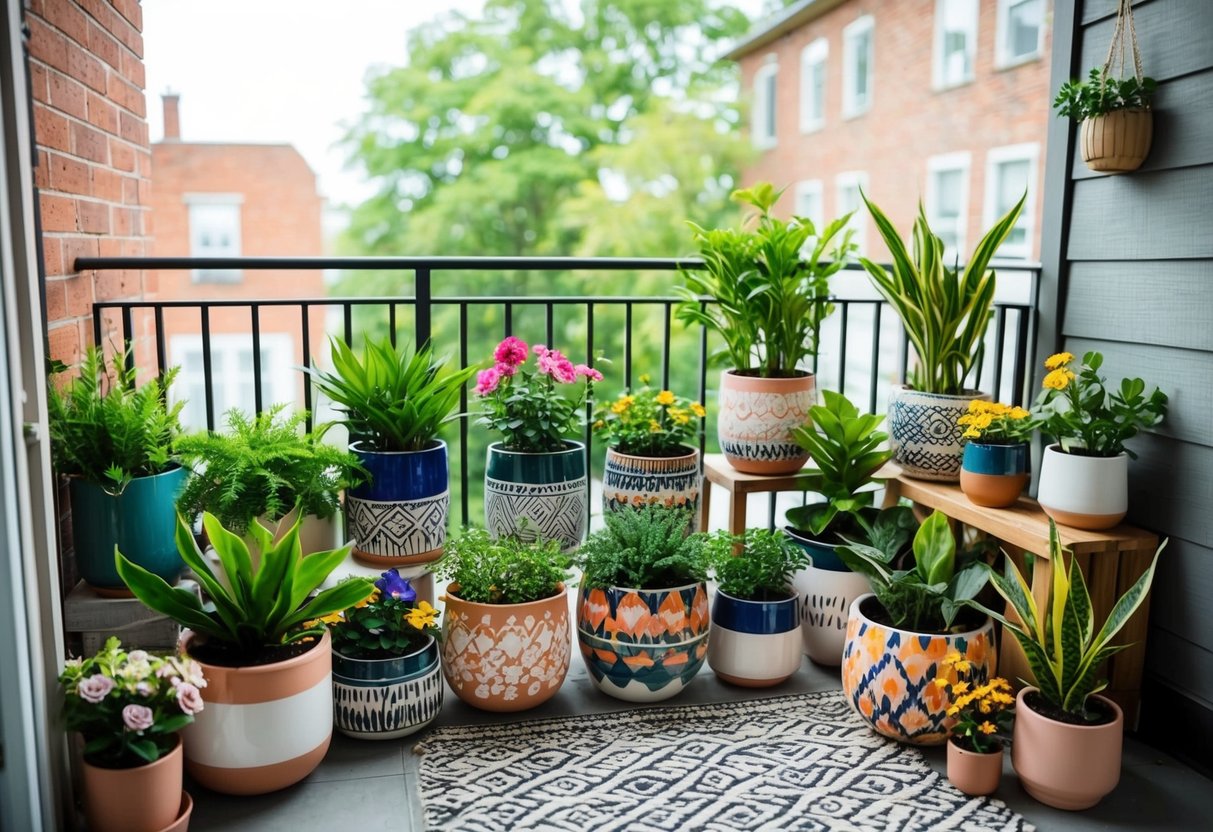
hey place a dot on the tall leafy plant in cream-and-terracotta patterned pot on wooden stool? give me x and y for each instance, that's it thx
(768, 303)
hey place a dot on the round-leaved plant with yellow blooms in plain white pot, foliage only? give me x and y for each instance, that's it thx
(1086, 418)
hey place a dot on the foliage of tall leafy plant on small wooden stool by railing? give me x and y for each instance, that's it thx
(768, 299)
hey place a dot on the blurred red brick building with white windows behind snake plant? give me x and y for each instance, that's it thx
(946, 101)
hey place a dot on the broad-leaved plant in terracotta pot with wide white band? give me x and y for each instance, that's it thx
(265, 656)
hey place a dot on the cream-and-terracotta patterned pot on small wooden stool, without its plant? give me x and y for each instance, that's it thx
(758, 417)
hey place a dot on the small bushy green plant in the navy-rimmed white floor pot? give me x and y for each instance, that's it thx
(762, 571)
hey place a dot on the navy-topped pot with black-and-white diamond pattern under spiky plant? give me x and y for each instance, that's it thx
(400, 517)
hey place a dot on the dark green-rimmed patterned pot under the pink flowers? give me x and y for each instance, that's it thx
(550, 492)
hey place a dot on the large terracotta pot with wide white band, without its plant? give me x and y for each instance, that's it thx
(265, 727)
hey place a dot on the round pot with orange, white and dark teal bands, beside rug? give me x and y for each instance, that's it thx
(643, 646)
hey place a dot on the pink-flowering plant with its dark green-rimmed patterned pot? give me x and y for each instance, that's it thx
(536, 481)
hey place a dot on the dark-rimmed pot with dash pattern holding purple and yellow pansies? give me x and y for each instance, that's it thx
(385, 699)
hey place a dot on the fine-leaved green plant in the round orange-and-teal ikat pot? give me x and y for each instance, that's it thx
(643, 549)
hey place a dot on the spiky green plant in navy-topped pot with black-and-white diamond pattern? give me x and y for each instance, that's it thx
(395, 404)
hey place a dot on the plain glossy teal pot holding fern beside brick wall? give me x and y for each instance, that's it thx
(143, 522)
